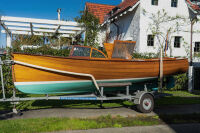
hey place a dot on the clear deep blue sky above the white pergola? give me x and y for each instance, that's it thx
(47, 9)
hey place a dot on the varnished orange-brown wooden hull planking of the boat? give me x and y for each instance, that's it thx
(103, 70)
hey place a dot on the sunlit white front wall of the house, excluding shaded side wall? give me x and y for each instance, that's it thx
(180, 10)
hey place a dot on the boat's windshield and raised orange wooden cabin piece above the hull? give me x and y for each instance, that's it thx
(117, 50)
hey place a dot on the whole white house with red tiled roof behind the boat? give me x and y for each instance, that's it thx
(135, 20)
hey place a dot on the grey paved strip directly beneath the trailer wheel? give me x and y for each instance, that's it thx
(83, 113)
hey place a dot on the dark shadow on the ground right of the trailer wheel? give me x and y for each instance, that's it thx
(179, 109)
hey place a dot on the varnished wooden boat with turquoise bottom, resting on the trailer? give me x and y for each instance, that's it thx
(85, 67)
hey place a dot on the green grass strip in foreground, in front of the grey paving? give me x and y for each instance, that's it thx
(58, 124)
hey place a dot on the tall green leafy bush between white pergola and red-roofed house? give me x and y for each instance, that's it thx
(91, 25)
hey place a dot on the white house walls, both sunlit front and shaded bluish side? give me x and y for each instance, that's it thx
(135, 26)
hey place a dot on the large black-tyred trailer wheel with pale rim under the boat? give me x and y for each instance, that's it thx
(146, 104)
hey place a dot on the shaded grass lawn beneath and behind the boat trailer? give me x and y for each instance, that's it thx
(176, 97)
